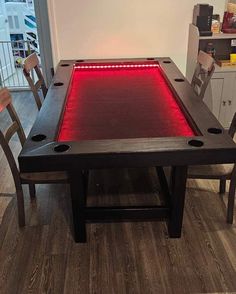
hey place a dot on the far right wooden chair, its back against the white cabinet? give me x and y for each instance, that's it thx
(203, 73)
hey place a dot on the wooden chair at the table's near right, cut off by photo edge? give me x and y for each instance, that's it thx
(221, 172)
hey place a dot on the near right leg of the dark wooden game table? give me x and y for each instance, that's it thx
(178, 187)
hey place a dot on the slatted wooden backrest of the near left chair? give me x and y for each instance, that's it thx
(5, 137)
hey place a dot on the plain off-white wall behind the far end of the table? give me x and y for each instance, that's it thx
(125, 28)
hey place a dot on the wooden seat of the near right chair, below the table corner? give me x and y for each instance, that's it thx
(210, 171)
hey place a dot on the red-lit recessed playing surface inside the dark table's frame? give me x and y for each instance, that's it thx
(119, 104)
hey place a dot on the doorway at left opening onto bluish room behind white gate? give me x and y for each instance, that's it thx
(24, 29)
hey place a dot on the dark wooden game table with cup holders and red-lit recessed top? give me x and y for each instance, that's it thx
(124, 113)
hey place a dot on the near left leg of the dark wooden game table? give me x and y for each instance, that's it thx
(78, 203)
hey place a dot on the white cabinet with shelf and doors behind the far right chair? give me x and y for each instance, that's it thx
(220, 95)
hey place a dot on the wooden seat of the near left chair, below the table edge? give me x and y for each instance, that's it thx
(44, 177)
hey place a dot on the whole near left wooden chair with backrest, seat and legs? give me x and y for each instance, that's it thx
(22, 178)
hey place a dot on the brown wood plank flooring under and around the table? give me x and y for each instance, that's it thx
(118, 257)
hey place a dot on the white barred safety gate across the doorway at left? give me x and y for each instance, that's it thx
(12, 55)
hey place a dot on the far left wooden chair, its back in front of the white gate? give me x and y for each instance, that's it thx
(31, 64)
